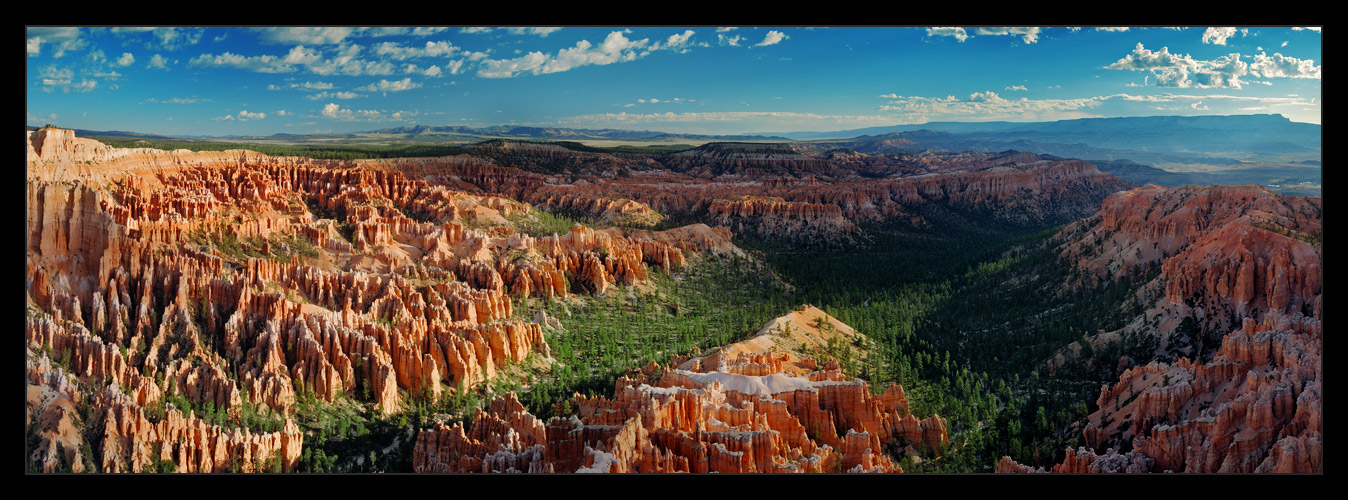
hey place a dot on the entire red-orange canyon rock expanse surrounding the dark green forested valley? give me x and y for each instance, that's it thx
(185, 309)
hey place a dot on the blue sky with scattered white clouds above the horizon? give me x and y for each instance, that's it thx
(695, 80)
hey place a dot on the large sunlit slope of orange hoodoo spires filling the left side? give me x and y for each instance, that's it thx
(245, 281)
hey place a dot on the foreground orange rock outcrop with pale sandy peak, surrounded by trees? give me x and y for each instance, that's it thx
(742, 413)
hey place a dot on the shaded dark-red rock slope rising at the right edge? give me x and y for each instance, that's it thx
(1241, 290)
